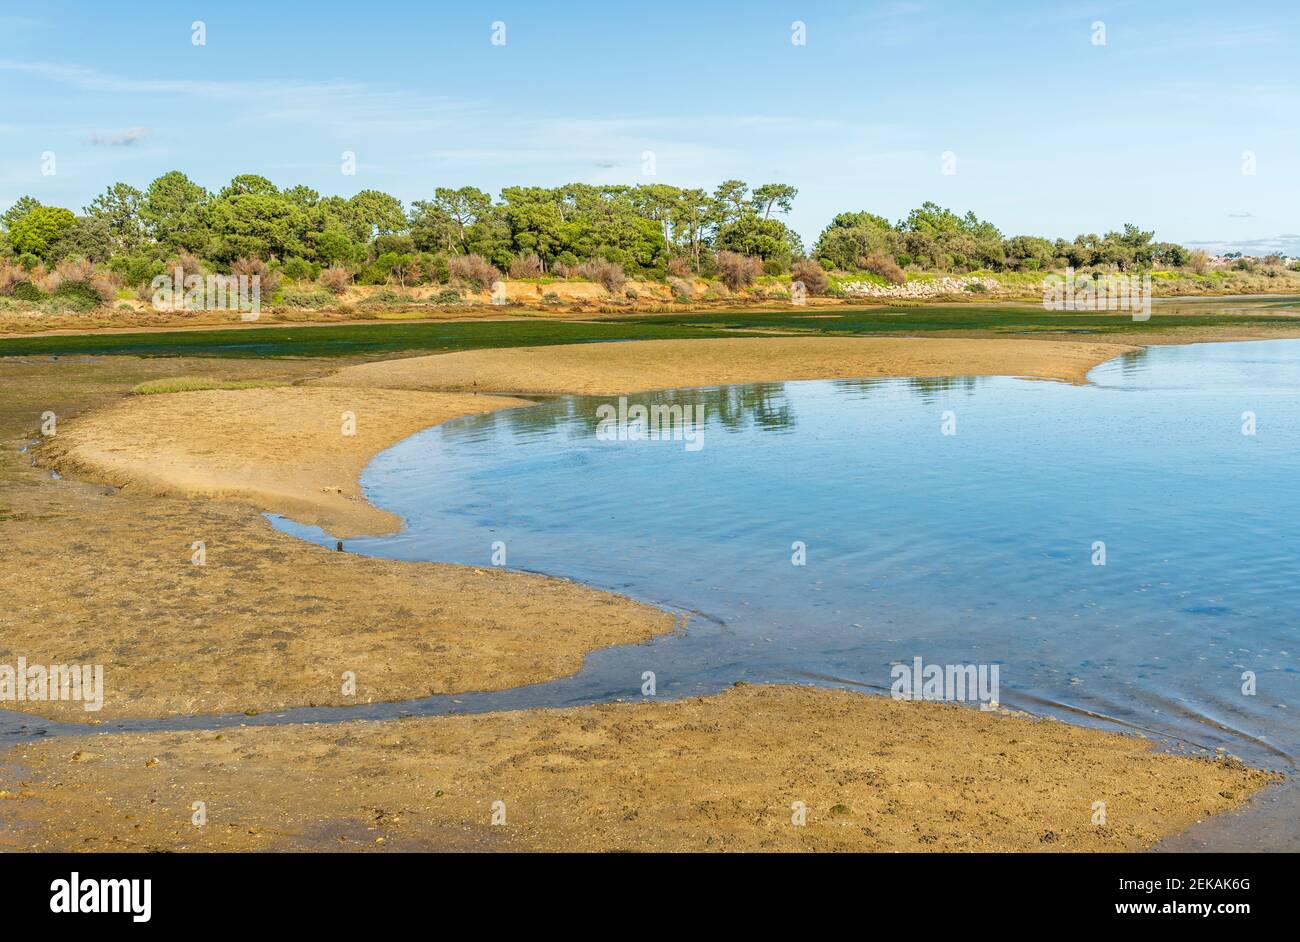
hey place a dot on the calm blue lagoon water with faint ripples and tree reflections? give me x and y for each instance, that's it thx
(976, 548)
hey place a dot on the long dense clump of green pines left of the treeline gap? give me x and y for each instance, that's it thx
(531, 232)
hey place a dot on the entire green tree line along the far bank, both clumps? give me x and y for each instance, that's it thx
(649, 231)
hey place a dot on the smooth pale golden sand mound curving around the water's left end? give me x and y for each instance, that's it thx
(287, 450)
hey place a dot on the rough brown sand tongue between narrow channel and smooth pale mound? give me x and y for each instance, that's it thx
(271, 622)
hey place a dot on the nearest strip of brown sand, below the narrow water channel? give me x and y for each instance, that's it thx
(707, 774)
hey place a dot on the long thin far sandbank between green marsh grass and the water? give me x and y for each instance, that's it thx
(614, 368)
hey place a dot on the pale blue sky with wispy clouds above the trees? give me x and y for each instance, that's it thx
(1052, 134)
